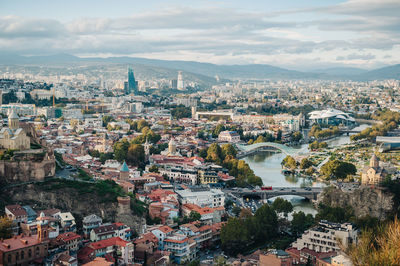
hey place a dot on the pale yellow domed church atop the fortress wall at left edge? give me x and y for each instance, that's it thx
(14, 137)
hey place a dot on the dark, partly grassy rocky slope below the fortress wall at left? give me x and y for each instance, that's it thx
(69, 199)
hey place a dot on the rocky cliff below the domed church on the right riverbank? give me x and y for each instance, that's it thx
(365, 201)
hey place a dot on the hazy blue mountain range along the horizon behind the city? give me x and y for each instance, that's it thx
(207, 71)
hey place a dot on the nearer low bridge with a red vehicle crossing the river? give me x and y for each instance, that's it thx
(310, 193)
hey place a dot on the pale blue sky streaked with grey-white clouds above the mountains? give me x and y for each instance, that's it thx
(297, 34)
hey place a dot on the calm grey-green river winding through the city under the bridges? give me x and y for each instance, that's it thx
(267, 165)
